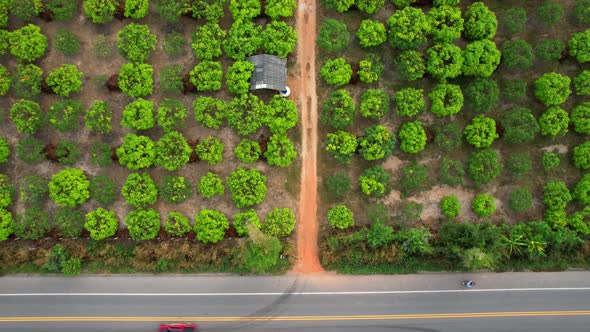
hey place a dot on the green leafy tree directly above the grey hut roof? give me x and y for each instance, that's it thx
(278, 38)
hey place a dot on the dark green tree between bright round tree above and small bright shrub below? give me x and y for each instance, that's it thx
(483, 166)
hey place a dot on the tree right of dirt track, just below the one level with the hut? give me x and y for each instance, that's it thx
(338, 109)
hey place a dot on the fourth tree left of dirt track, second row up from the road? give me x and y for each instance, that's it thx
(139, 190)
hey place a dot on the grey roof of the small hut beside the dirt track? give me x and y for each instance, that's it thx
(270, 72)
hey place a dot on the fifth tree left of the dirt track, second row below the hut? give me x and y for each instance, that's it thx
(136, 152)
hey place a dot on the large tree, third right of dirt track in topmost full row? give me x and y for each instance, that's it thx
(408, 28)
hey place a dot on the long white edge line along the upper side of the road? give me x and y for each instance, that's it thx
(478, 290)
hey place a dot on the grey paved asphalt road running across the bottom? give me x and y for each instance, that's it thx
(319, 303)
